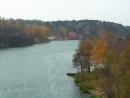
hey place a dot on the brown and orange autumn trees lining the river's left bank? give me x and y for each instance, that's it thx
(15, 33)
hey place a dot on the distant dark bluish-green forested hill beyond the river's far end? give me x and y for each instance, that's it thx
(82, 27)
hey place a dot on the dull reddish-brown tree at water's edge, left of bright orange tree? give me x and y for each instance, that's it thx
(82, 56)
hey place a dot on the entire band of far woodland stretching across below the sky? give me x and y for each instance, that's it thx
(14, 33)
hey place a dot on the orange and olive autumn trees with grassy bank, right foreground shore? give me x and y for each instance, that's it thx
(105, 66)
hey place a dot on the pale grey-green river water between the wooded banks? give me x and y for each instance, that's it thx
(38, 71)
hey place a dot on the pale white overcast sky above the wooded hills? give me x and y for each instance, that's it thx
(49, 10)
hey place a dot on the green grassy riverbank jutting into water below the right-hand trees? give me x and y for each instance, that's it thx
(84, 81)
